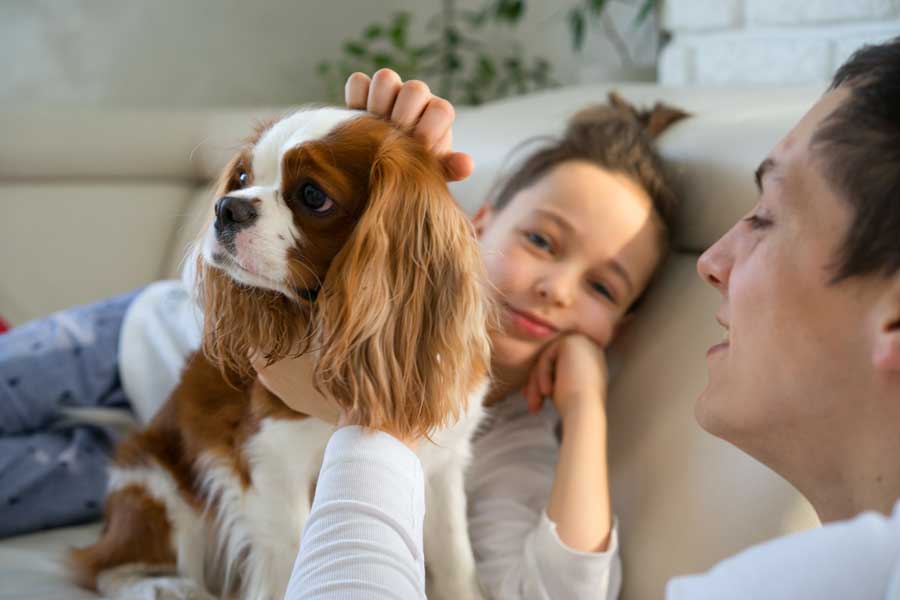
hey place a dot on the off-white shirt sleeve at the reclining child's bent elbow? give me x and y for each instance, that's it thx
(517, 550)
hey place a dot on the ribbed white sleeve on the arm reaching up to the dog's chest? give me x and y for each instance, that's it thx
(363, 537)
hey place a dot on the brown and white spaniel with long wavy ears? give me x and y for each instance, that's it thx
(333, 233)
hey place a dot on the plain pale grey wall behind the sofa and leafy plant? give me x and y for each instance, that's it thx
(188, 53)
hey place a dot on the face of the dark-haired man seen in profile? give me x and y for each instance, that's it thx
(796, 365)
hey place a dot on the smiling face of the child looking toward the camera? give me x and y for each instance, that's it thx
(569, 254)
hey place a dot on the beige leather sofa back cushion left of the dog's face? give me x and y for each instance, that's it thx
(68, 243)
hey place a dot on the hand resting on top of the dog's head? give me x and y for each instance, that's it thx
(411, 105)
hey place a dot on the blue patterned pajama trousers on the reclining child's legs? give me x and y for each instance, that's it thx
(53, 471)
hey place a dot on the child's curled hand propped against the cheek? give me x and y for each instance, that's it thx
(572, 372)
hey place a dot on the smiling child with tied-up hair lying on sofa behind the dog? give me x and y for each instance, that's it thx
(571, 240)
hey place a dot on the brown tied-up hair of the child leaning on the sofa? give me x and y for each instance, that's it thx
(615, 137)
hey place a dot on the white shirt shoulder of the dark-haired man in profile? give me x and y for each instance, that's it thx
(857, 559)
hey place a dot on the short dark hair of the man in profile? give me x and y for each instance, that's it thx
(860, 143)
